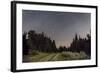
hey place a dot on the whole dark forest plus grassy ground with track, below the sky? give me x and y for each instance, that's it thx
(37, 47)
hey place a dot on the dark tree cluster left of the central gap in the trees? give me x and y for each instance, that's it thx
(37, 41)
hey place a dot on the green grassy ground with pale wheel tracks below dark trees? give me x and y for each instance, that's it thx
(41, 57)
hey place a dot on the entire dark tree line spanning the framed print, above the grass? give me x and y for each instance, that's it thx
(40, 42)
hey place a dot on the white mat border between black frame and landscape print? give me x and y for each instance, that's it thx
(35, 65)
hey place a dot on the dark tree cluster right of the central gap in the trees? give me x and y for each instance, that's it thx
(81, 44)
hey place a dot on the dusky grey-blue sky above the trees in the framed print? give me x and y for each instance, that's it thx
(59, 26)
